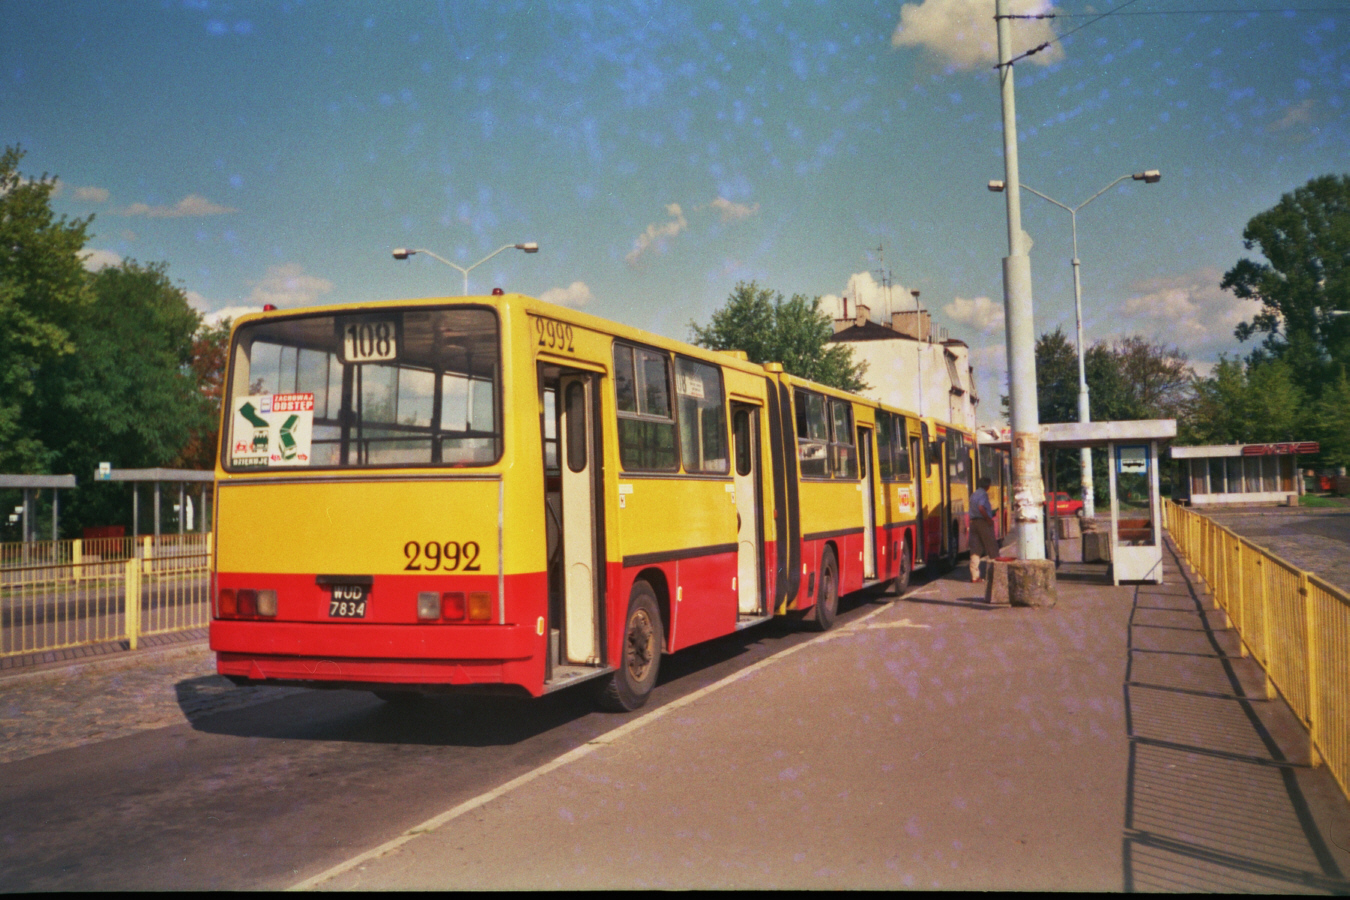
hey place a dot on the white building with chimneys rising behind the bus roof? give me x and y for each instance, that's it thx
(913, 365)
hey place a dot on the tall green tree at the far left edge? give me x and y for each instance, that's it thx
(43, 293)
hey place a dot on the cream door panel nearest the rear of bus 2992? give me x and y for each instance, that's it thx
(578, 463)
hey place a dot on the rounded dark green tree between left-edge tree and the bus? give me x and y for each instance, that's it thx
(130, 396)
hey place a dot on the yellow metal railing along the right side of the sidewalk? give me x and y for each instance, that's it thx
(1295, 625)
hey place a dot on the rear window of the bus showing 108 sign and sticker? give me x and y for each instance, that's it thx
(377, 389)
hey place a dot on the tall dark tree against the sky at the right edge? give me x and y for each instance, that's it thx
(1306, 242)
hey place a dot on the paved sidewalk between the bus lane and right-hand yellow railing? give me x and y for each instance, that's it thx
(1114, 743)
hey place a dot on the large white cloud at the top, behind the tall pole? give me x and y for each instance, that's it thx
(962, 34)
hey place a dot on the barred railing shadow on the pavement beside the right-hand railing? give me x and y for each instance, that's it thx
(1212, 797)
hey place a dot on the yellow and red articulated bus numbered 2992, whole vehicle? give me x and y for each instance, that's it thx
(502, 495)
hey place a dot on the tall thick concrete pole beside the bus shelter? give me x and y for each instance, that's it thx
(1028, 490)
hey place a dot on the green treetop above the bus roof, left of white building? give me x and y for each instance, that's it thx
(773, 330)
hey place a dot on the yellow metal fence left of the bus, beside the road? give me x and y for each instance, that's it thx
(63, 594)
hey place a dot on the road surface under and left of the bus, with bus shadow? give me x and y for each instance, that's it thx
(160, 775)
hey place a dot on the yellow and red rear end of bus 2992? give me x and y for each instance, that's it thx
(360, 504)
